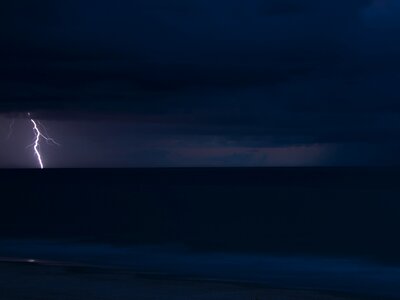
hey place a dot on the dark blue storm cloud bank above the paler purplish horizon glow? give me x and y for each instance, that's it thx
(252, 72)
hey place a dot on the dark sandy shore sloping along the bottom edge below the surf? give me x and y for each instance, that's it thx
(34, 281)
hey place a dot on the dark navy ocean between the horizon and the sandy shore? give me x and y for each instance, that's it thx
(322, 228)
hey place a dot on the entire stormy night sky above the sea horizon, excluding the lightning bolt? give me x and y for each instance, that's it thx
(150, 83)
